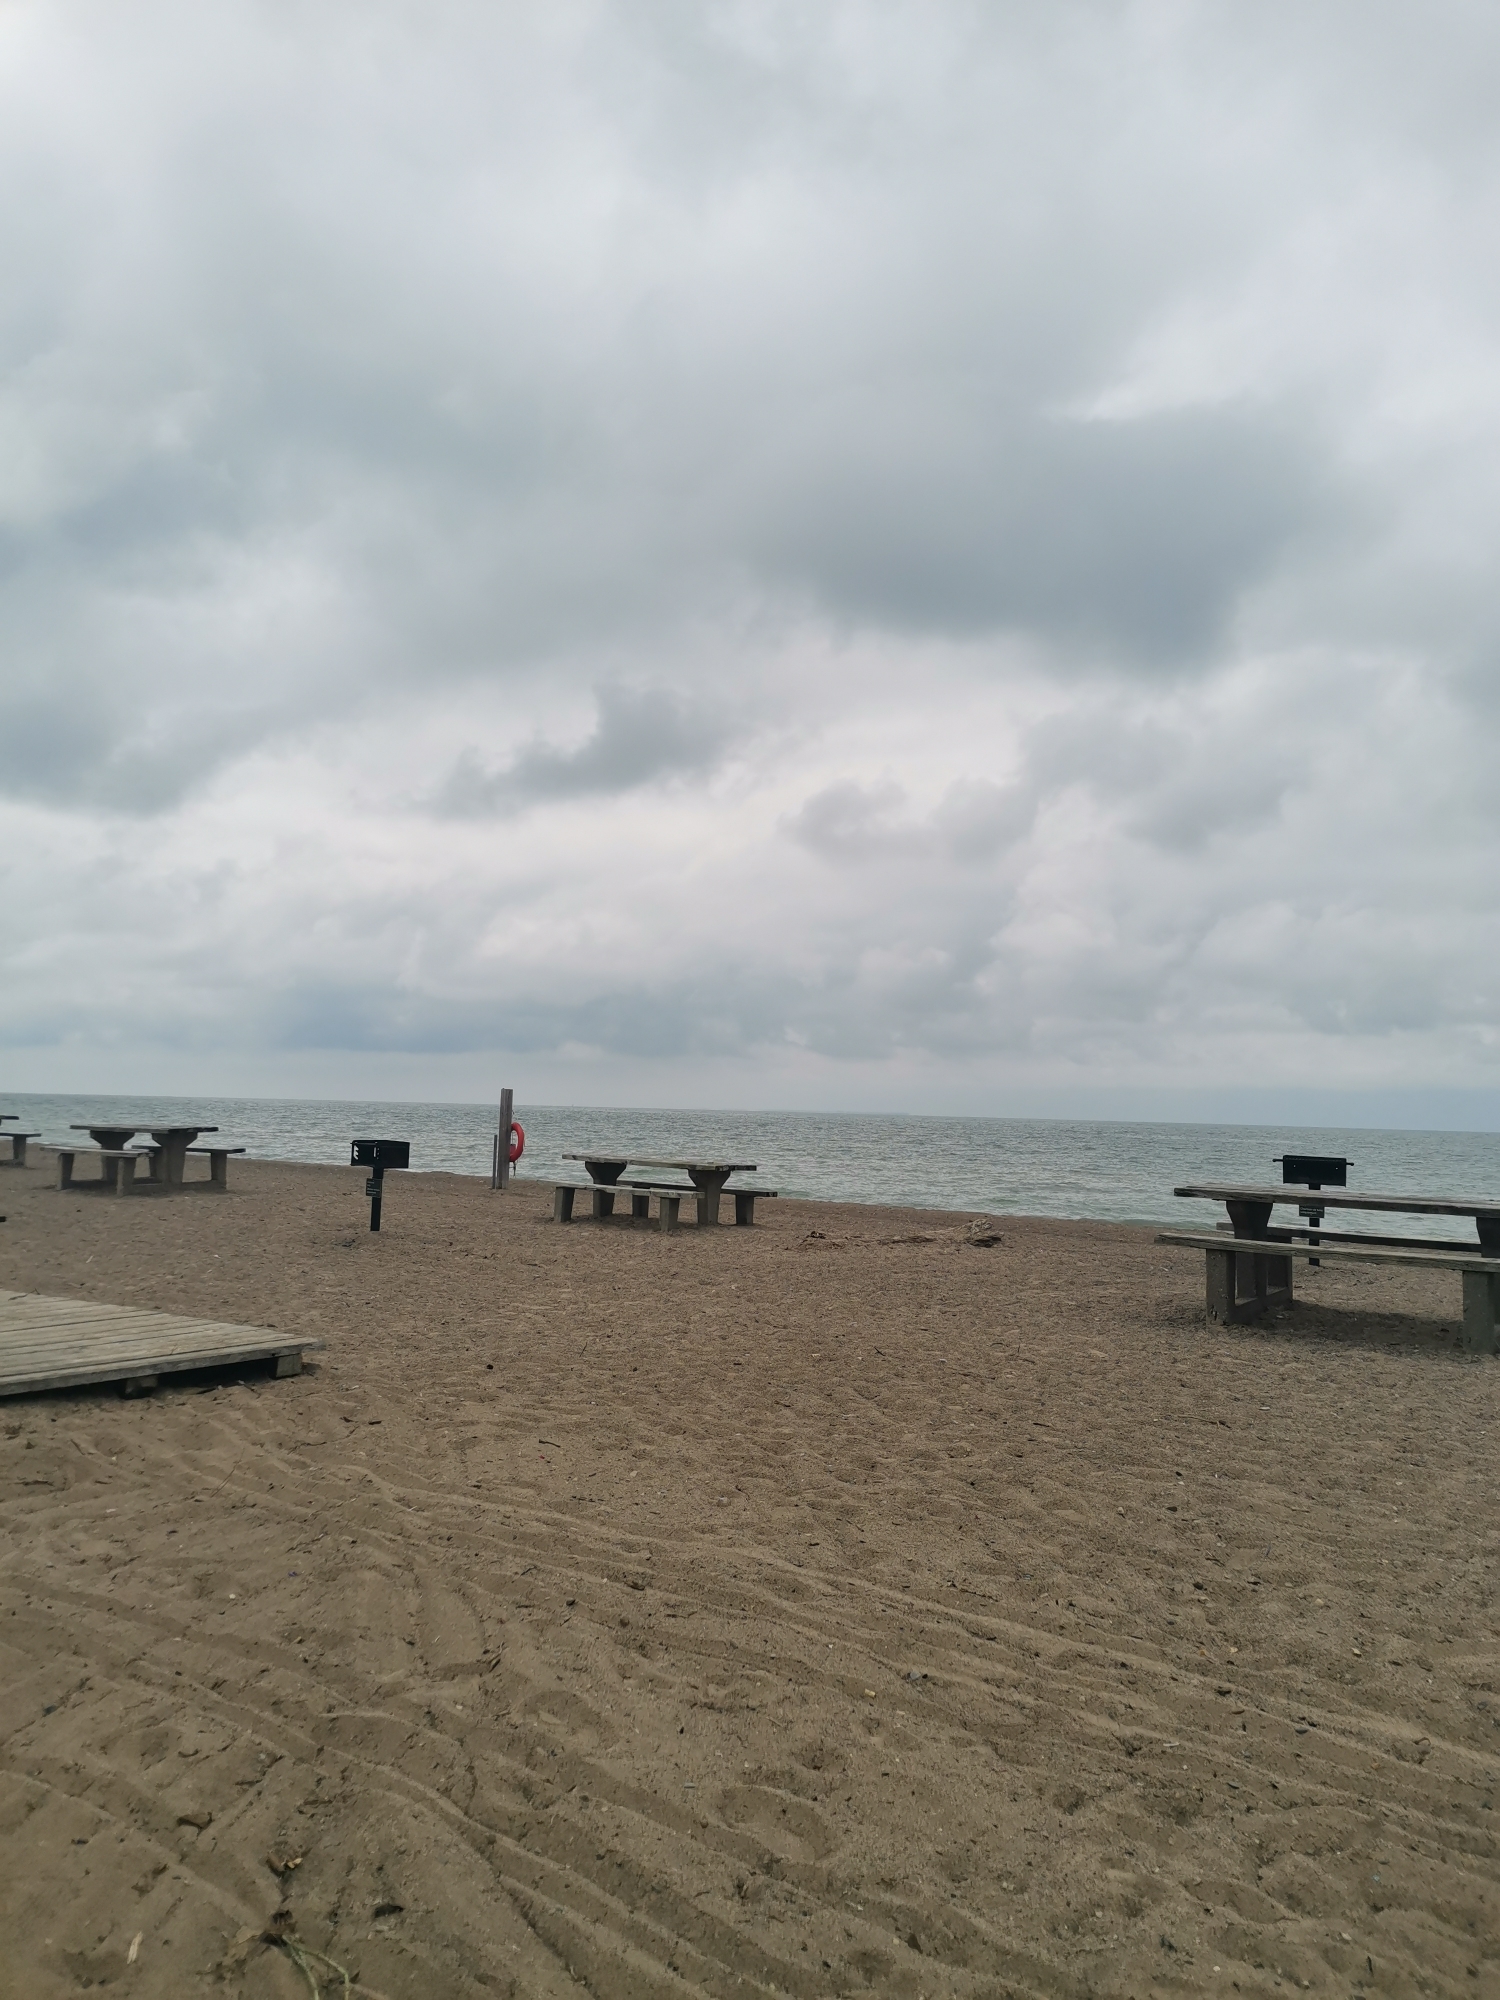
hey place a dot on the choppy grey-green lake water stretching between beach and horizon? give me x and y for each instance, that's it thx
(1035, 1167)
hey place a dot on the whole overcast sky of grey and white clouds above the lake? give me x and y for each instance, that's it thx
(859, 555)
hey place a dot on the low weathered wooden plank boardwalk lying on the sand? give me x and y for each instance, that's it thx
(65, 1343)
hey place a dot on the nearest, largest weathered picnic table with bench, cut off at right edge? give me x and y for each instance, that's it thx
(1249, 1261)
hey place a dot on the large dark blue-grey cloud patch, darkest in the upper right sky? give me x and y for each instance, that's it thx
(1129, 539)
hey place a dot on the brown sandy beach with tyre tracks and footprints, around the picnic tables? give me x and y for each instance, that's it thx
(821, 1609)
